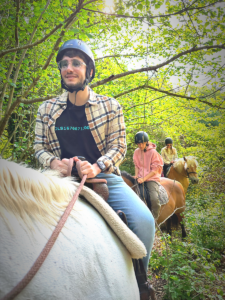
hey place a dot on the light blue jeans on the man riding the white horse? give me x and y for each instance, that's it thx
(139, 217)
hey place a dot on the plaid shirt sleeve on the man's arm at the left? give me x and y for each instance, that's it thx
(41, 145)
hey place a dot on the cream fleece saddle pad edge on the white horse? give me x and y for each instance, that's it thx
(133, 244)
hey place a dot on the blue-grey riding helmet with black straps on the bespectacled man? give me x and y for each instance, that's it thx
(86, 51)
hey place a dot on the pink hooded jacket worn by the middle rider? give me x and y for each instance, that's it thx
(148, 161)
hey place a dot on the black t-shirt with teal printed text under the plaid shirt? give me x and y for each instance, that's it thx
(74, 135)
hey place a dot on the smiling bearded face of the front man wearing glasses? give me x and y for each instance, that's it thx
(73, 76)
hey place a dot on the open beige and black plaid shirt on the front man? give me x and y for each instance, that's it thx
(106, 122)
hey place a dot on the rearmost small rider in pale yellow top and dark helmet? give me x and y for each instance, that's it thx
(169, 155)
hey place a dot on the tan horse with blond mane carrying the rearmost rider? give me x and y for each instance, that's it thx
(183, 170)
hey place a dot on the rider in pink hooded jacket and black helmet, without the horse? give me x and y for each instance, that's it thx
(148, 167)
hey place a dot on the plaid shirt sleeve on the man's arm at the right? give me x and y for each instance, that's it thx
(116, 142)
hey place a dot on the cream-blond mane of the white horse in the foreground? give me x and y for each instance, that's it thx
(28, 193)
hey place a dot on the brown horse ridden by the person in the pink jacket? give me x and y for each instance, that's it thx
(171, 211)
